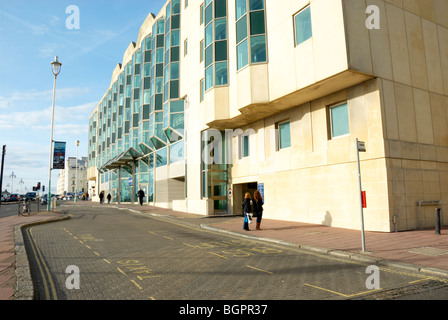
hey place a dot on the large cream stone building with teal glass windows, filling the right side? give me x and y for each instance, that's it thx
(217, 98)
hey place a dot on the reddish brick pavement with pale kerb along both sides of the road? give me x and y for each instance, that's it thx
(421, 251)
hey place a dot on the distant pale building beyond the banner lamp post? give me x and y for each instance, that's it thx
(67, 176)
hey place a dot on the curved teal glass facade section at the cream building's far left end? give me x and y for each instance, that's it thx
(139, 123)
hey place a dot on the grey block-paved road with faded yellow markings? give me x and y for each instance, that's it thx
(114, 254)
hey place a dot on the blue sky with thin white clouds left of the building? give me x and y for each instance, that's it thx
(31, 34)
